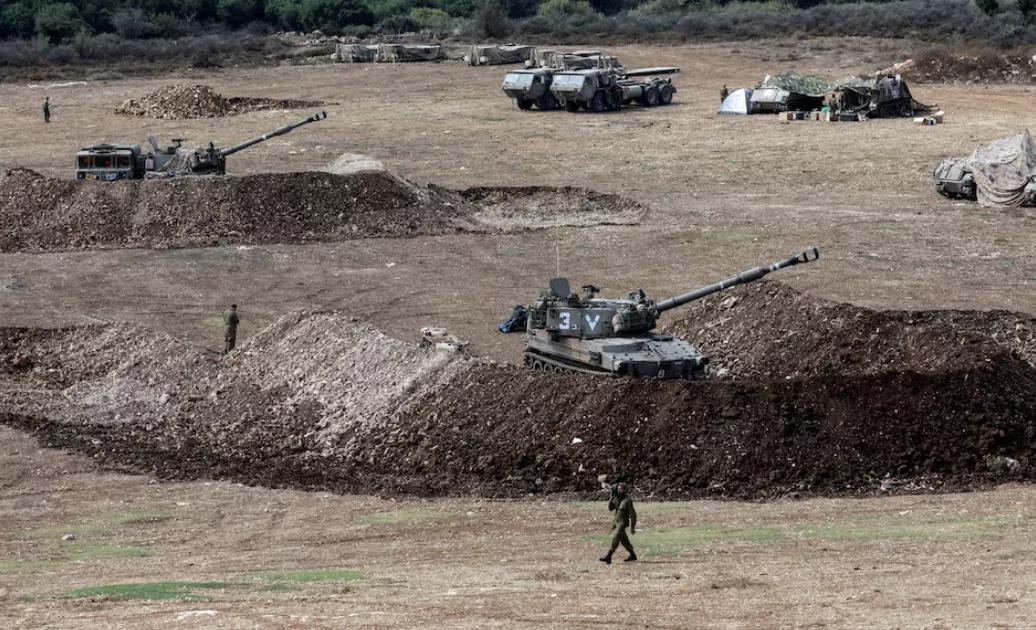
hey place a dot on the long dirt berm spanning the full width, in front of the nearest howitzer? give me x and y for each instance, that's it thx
(360, 412)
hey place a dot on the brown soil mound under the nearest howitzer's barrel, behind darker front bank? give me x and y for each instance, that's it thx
(770, 331)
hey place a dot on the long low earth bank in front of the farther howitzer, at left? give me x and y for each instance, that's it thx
(40, 214)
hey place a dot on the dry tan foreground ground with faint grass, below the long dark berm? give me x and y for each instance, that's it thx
(908, 562)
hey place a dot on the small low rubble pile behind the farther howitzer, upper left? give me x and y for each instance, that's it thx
(181, 101)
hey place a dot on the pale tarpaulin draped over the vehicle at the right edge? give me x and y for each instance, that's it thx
(1003, 169)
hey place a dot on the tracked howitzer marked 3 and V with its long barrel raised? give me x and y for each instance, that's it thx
(572, 333)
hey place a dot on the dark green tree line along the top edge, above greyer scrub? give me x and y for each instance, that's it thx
(61, 21)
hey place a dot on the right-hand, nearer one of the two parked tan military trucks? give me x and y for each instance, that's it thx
(609, 89)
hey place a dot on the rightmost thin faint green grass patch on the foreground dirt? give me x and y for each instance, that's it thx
(935, 530)
